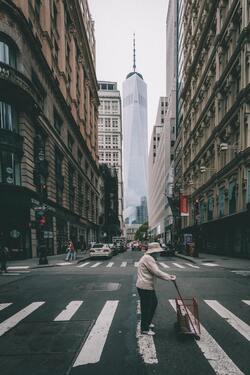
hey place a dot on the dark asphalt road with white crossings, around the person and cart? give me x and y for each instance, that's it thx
(84, 319)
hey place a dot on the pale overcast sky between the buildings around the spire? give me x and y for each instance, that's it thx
(115, 23)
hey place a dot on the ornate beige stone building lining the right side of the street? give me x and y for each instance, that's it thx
(214, 124)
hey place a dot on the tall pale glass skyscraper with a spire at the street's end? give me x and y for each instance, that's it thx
(135, 131)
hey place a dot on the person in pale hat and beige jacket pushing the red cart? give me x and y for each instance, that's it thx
(147, 272)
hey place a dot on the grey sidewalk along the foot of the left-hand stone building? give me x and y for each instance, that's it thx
(53, 261)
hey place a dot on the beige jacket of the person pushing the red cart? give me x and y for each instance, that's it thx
(147, 273)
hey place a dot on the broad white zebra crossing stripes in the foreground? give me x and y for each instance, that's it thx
(94, 344)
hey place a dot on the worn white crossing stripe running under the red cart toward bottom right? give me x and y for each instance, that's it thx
(212, 351)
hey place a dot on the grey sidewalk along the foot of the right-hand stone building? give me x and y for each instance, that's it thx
(221, 260)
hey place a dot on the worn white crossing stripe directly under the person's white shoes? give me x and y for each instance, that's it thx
(145, 343)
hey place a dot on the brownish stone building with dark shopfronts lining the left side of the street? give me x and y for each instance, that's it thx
(48, 131)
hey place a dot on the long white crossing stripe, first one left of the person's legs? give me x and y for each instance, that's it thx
(92, 349)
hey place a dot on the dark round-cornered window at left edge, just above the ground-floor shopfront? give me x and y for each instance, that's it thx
(9, 168)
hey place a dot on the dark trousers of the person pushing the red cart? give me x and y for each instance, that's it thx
(148, 306)
